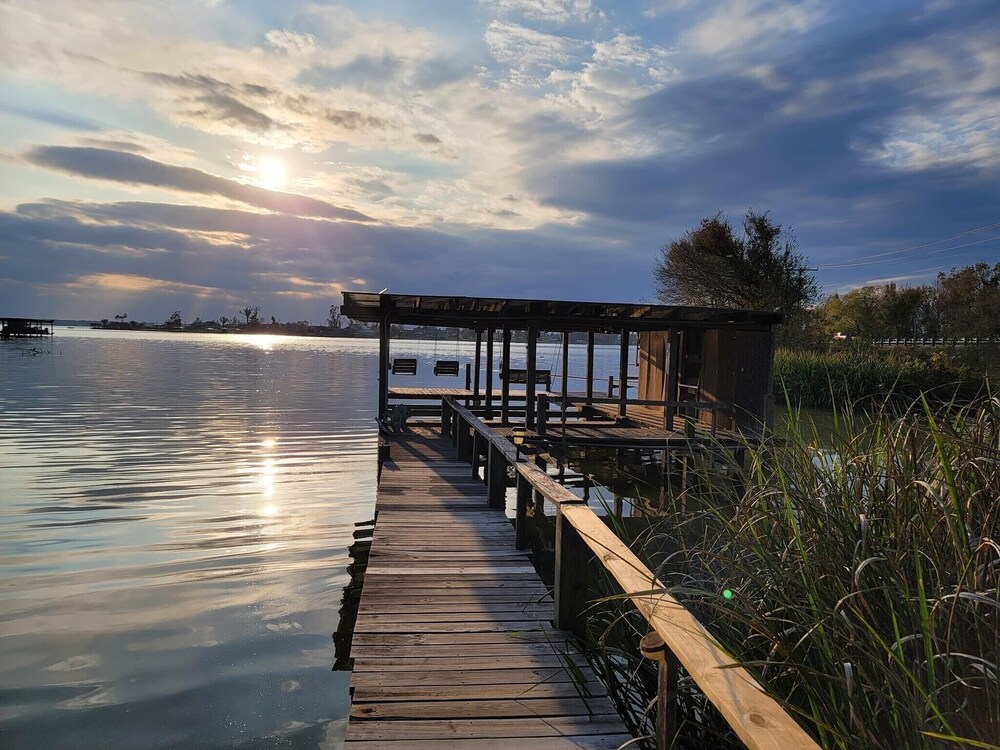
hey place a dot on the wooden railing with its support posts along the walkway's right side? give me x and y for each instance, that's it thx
(676, 636)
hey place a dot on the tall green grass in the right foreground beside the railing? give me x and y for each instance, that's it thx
(866, 581)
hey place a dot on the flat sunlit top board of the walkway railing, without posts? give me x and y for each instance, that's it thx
(756, 718)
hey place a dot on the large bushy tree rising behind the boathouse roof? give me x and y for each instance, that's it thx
(714, 267)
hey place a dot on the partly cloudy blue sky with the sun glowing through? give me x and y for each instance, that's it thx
(205, 155)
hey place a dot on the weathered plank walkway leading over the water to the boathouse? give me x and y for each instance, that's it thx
(454, 645)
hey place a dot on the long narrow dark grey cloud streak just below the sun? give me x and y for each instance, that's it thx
(104, 164)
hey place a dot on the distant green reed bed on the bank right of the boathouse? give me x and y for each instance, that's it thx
(868, 374)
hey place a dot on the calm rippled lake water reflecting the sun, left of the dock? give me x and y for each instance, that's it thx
(175, 514)
